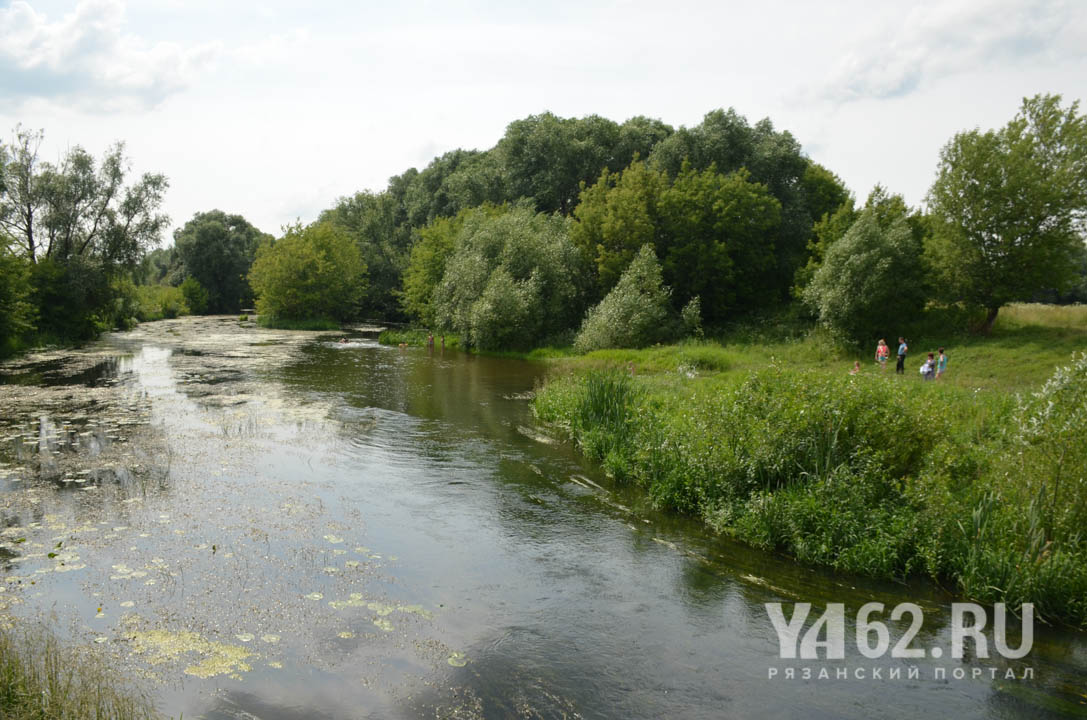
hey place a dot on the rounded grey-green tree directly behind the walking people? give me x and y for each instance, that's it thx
(871, 283)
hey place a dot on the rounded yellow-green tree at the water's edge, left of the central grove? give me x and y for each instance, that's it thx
(311, 272)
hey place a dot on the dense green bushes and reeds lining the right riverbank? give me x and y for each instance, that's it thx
(983, 492)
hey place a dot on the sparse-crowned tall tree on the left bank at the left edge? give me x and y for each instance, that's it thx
(81, 227)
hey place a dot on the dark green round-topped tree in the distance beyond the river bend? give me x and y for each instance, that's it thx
(218, 251)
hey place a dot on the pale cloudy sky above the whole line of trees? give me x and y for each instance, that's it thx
(274, 110)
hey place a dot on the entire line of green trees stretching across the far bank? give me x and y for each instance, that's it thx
(571, 231)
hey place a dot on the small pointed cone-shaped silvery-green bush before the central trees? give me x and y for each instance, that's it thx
(634, 315)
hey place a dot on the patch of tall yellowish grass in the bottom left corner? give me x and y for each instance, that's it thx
(42, 680)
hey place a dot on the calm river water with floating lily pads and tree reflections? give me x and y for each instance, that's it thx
(273, 525)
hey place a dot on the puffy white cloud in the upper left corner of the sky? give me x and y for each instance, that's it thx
(88, 58)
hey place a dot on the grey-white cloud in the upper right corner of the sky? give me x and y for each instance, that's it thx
(945, 39)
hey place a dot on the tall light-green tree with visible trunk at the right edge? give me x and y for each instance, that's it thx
(1009, 207)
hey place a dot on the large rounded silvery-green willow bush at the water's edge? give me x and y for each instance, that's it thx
(513, 281)
